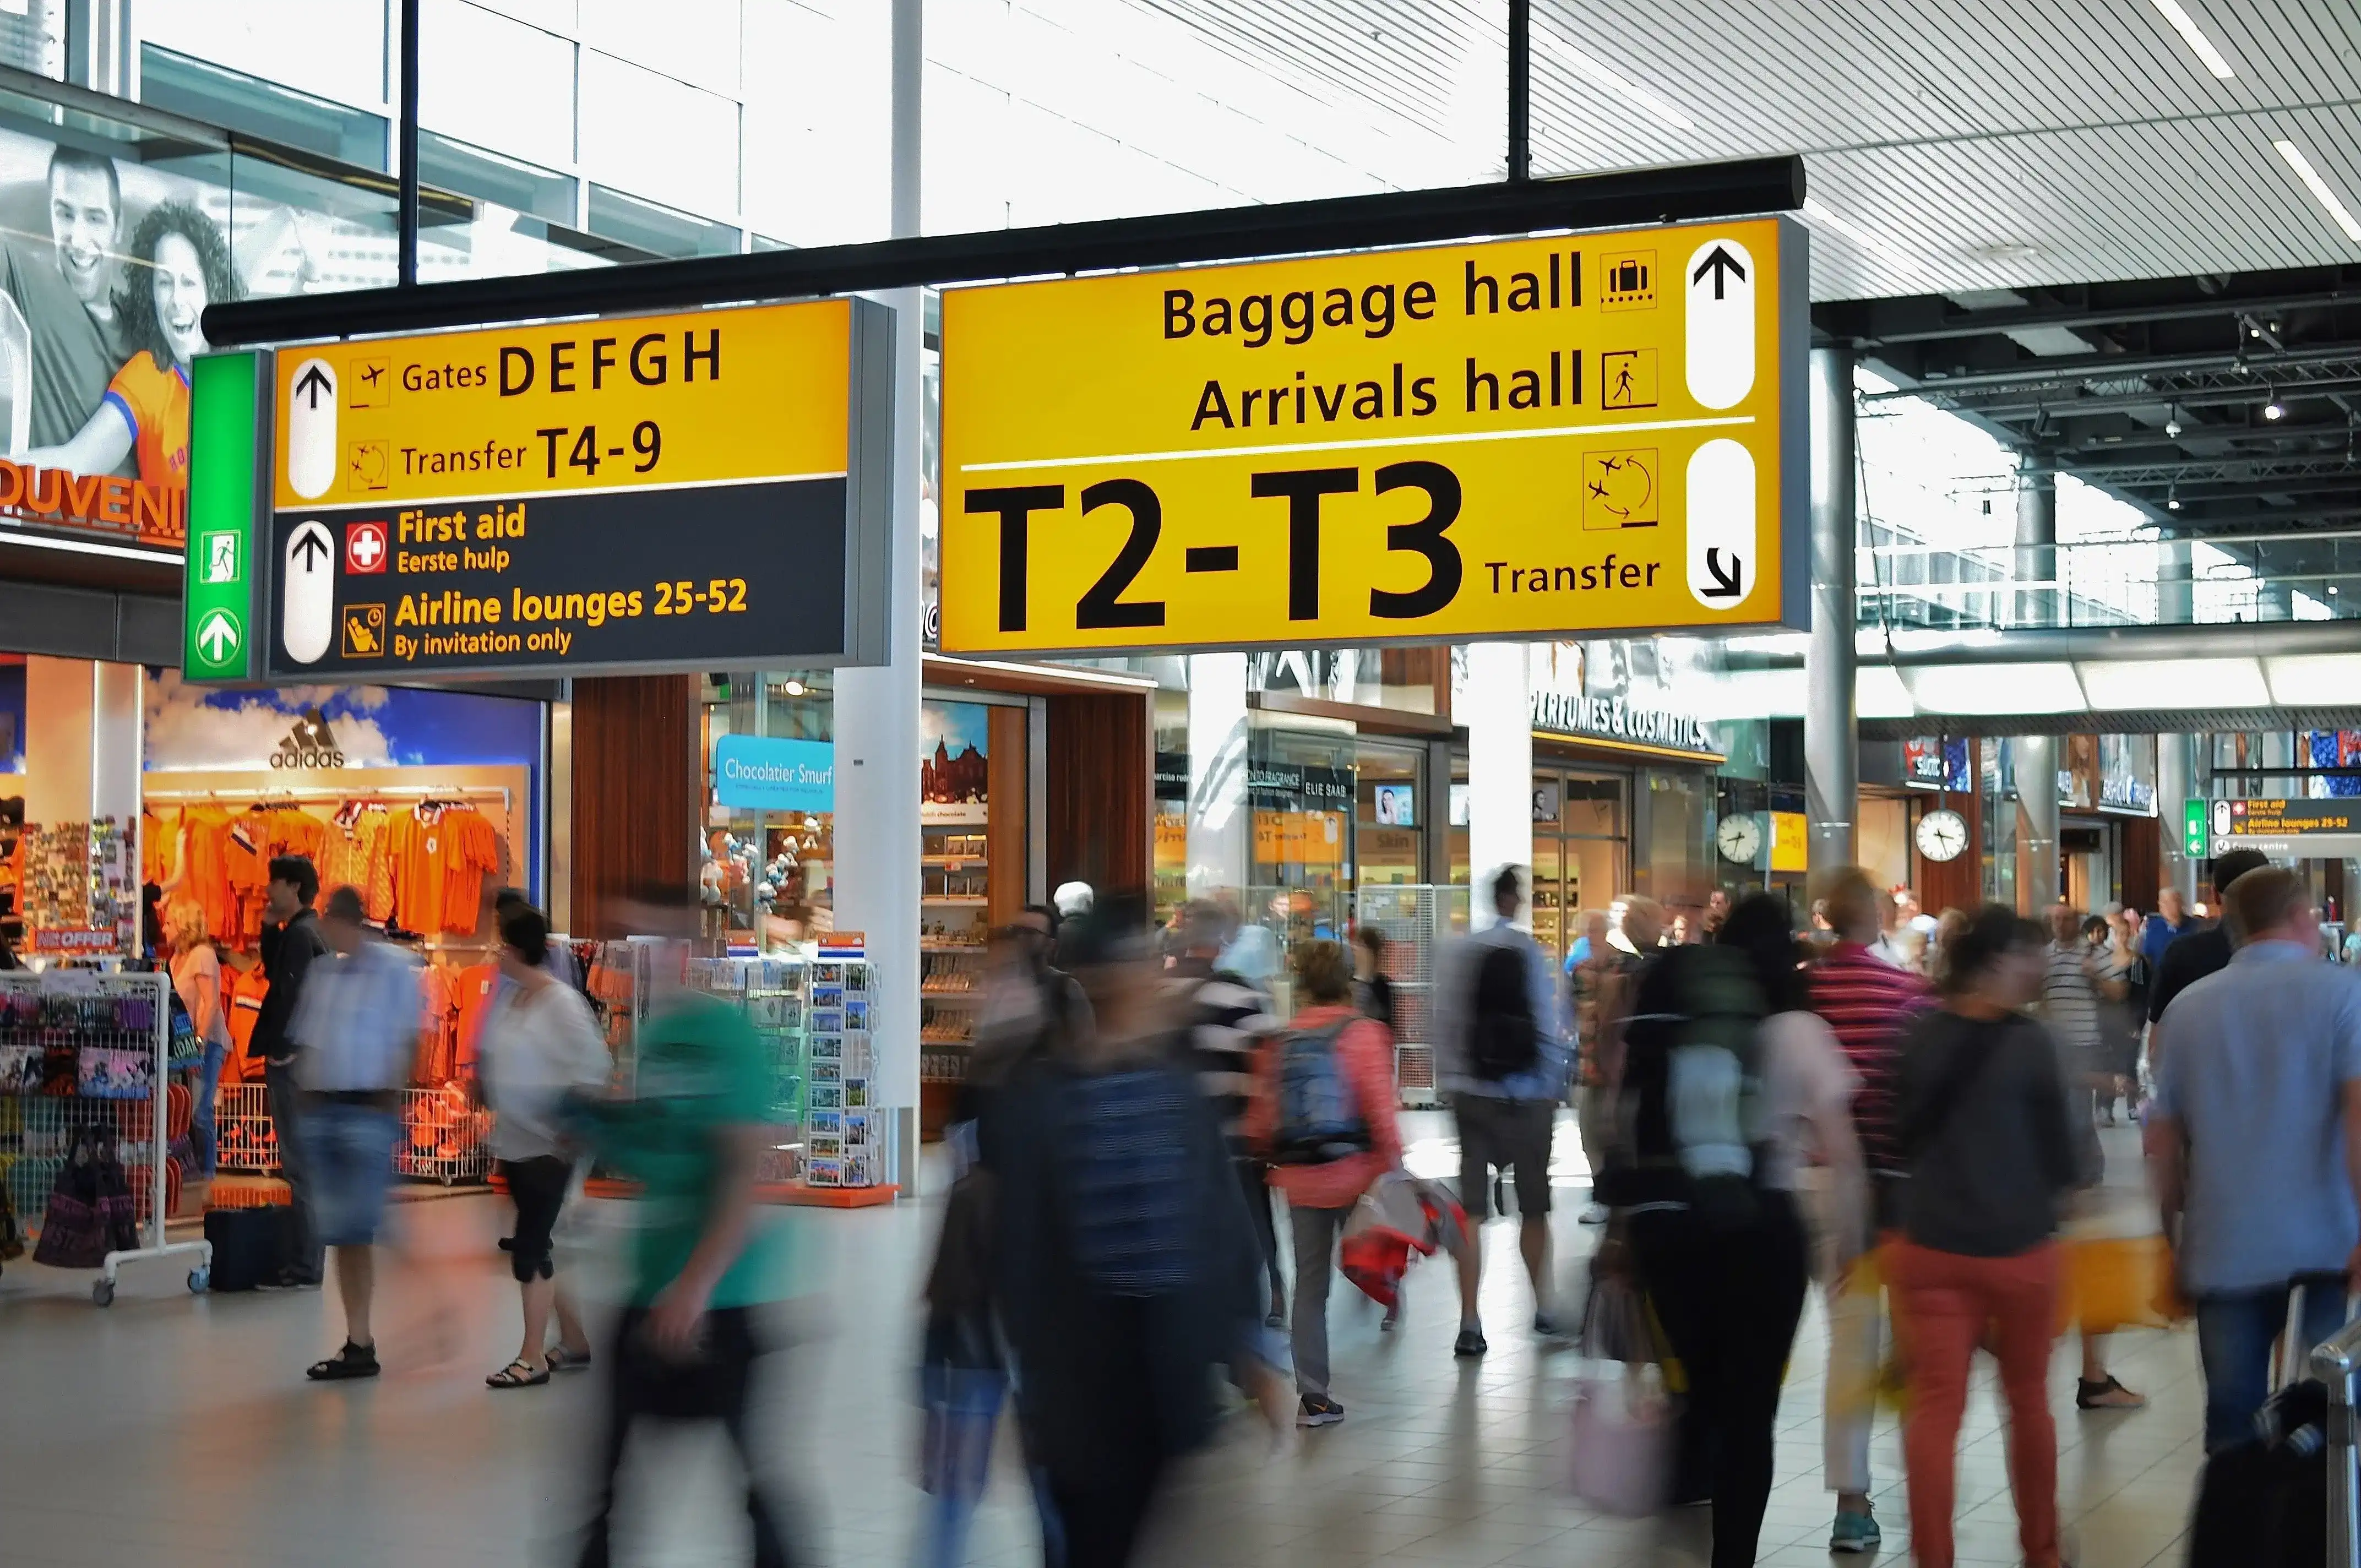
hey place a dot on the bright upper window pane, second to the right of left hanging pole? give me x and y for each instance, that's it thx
(660, 138)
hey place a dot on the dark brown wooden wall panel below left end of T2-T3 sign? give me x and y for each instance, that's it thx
(1099, 792)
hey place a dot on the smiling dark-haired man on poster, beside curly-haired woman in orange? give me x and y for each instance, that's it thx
(67, 299)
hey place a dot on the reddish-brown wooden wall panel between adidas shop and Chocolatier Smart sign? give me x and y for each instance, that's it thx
(636, 795)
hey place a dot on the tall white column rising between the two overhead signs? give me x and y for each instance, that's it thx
(877, 710)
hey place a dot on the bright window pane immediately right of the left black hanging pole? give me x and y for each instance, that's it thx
(497, 84)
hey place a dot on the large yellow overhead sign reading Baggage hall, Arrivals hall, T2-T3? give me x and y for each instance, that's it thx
(1503, 440)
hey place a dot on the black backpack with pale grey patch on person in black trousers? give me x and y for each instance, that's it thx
(1694, 1073)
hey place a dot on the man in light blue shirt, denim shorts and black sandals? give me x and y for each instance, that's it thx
(355, 1033)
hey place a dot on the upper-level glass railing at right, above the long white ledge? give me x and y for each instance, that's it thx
(2112, 582)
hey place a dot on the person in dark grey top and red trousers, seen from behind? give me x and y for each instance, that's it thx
(1992, 1156)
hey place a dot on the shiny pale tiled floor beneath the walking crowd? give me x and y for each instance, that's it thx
(181, 1430)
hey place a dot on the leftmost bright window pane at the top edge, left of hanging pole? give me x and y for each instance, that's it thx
(327, 48)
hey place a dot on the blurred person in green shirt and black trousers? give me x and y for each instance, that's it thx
(705, 1260)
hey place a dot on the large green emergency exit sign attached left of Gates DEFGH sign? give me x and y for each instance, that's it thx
(218, 584)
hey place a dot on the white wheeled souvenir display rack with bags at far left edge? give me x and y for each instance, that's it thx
(89, 1050)
